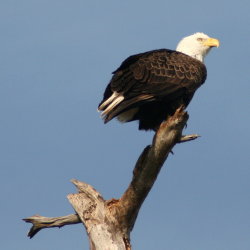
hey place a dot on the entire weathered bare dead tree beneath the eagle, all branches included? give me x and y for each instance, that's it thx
(109, 222)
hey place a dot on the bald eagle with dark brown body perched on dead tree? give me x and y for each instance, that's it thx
(150, 86)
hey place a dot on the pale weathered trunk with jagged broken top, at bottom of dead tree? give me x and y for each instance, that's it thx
(102, 228)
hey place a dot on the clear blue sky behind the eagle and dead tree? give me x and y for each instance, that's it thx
(56, 59)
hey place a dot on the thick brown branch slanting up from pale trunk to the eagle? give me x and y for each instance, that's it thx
(149, 165)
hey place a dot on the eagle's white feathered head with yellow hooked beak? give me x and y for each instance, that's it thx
(197, 45)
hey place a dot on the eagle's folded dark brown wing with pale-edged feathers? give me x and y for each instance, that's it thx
(151, 76)
